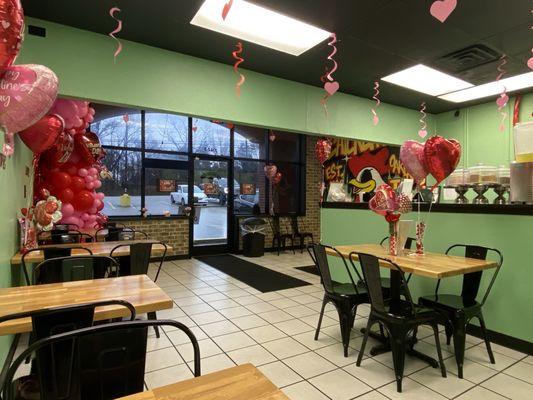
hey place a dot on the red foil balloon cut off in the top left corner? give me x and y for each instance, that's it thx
(12, 28)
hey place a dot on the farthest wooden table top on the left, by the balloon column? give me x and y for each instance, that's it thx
(98, 249)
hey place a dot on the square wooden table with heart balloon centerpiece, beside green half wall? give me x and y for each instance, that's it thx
(432, 265)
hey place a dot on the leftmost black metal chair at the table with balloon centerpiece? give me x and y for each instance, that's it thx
(344, 296)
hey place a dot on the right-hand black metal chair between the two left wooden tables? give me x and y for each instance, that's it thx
(138, 262)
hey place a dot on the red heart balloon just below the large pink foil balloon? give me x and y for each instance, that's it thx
(42, 135)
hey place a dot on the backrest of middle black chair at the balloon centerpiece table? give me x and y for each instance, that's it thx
(370, 265)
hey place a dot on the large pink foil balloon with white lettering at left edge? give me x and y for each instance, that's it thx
(27, 93)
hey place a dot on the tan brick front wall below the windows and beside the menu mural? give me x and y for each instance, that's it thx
(175, 232)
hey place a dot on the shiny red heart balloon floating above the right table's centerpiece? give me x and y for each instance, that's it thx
(441, 157)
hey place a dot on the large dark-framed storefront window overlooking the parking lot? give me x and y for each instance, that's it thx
(149, 155)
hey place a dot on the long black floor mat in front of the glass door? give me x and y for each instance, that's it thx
(254, 275)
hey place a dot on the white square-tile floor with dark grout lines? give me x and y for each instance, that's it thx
(236, 324)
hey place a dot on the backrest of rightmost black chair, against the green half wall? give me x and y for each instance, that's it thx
(472, 280)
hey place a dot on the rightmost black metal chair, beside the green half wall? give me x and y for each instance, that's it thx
(461, 309)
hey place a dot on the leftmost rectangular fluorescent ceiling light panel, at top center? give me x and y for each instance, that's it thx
(261, 26)
